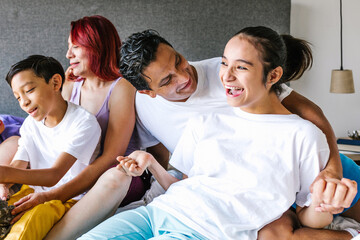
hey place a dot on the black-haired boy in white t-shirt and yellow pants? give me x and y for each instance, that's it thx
(58, 140)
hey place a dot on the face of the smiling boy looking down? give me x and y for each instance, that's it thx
(35, 96)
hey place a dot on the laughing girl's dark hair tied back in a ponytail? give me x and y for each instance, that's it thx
(292, 54)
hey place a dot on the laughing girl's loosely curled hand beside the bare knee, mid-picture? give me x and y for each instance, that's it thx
(136, 163)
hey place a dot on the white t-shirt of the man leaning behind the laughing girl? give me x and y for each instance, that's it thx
(159, 120)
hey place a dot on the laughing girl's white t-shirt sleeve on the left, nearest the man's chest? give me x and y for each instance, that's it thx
(183, 156)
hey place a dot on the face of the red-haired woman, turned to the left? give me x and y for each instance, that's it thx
(79, 59)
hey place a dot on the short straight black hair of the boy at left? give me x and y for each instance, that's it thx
(43, 67)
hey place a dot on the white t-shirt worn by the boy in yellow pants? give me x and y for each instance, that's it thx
(77, 134)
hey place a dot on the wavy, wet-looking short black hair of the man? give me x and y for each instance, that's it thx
(137, 52)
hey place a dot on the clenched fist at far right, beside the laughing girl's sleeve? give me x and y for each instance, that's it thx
(333, 195)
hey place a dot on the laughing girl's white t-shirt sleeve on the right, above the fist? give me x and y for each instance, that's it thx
(315, 157)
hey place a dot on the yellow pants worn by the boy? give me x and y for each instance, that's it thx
(38, 221)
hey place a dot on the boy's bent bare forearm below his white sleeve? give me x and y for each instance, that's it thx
(40, 177)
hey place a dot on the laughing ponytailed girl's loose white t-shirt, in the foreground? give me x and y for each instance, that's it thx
(245, 175)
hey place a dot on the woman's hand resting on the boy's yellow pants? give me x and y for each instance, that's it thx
(26, 203)
